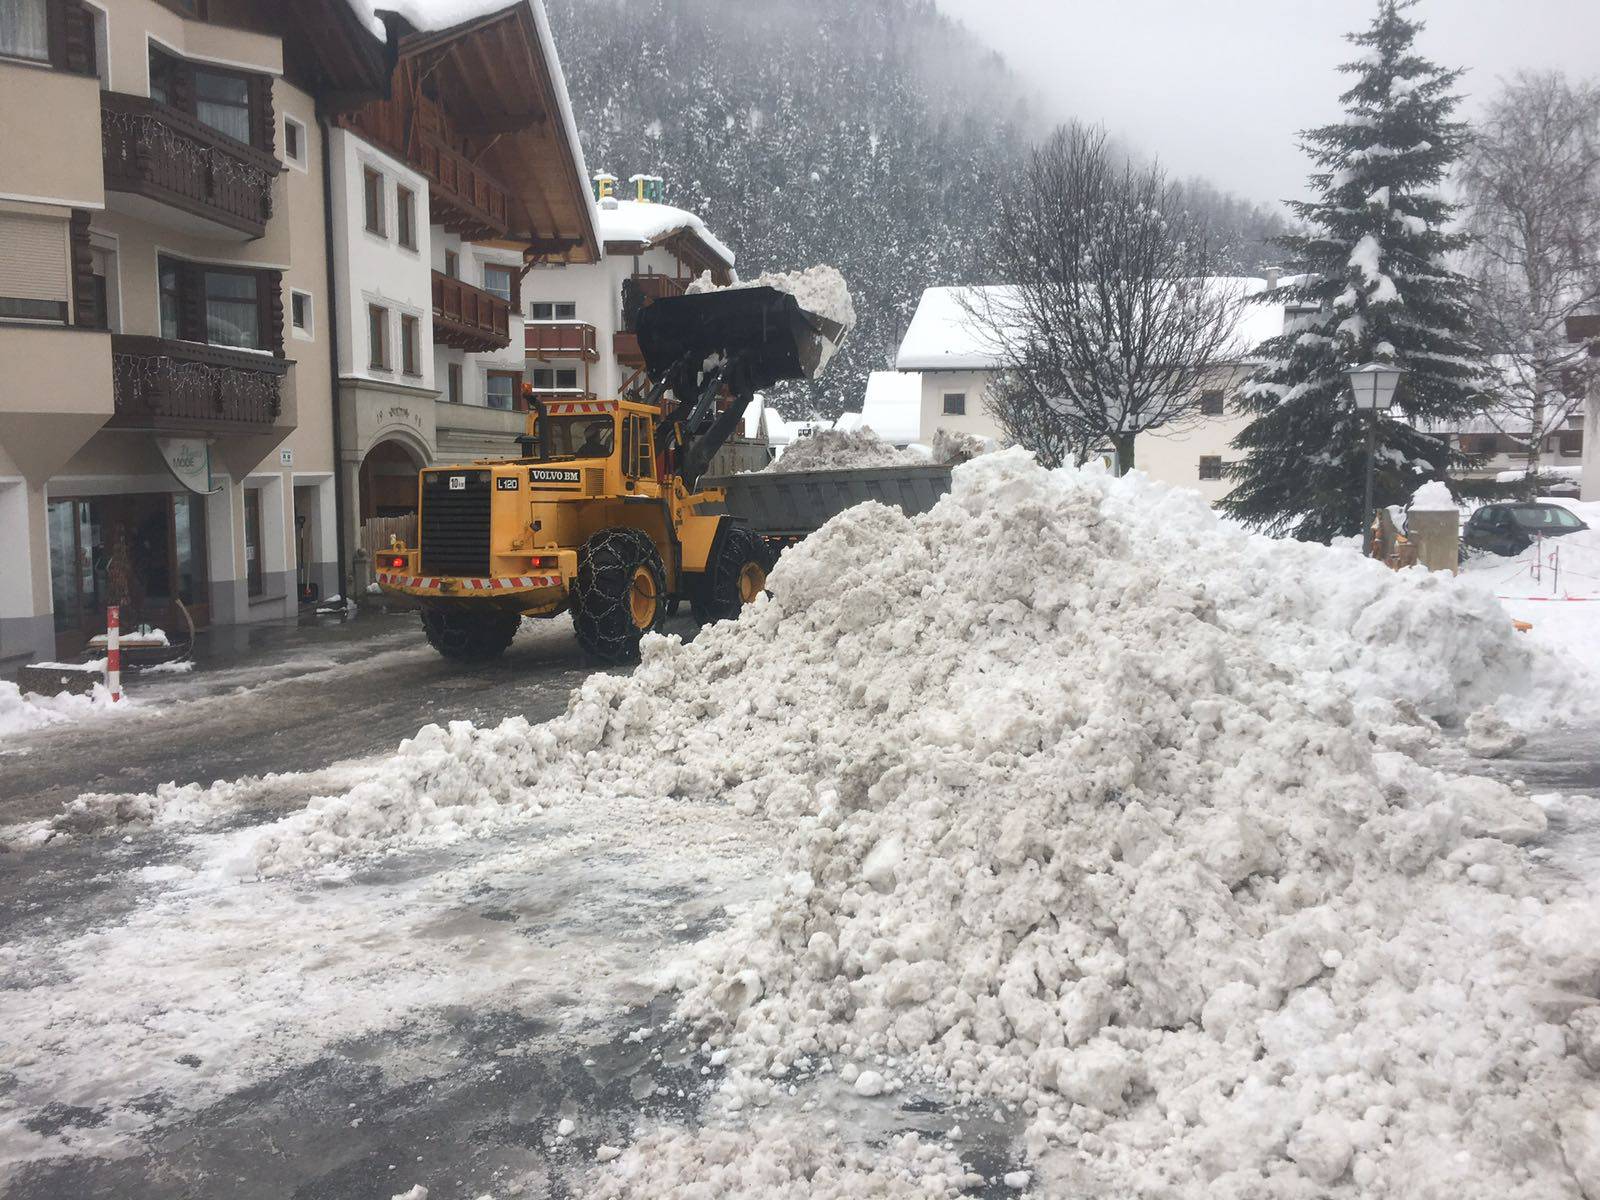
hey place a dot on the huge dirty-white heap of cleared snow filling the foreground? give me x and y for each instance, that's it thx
(1092, 810)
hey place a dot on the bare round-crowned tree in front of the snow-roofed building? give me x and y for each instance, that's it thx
(1111, 324)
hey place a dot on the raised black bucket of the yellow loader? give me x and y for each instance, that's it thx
(764, 329)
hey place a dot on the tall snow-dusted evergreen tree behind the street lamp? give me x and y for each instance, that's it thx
(1375, 289)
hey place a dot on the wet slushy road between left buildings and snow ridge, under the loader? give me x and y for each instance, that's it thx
(289, 698)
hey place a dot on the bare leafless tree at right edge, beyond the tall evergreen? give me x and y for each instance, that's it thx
(1532, 182)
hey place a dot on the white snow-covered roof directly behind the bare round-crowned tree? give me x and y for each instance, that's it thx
(945, 335)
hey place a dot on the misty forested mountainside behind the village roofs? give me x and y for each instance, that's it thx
(874, 135)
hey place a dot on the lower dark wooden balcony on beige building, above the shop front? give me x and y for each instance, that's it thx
(194, 388)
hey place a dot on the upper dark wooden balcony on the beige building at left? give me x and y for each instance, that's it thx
(210, 183)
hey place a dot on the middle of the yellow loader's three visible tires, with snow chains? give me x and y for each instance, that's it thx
(620, 594)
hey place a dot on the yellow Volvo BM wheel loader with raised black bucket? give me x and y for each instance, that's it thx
(599, 513)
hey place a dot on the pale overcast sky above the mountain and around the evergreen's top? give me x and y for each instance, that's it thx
(1222, 87)
